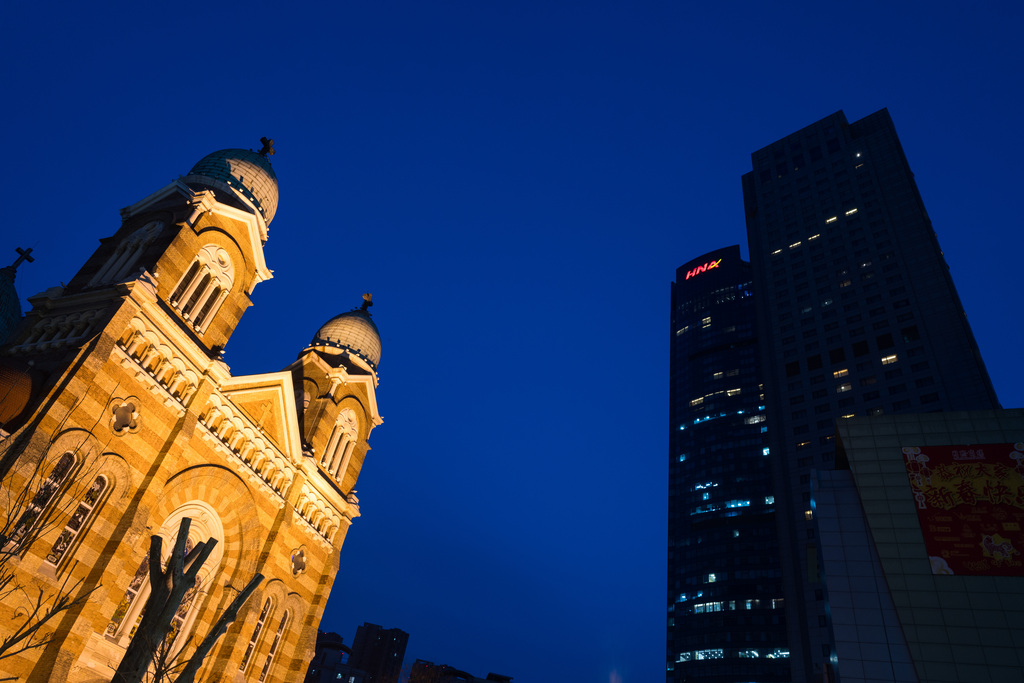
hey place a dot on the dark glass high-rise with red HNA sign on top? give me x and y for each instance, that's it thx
(727, 617)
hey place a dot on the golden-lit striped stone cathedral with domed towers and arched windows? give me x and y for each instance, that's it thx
(119, 419)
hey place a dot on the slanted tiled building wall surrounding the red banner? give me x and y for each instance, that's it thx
(958, 628)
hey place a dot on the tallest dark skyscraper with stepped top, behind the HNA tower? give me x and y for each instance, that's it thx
(859, 316)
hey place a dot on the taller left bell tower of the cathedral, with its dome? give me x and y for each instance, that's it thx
(197, 244)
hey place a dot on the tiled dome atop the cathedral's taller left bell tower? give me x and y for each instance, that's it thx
(243, 173)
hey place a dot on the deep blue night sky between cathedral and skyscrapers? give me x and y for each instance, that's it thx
(517, 184)
